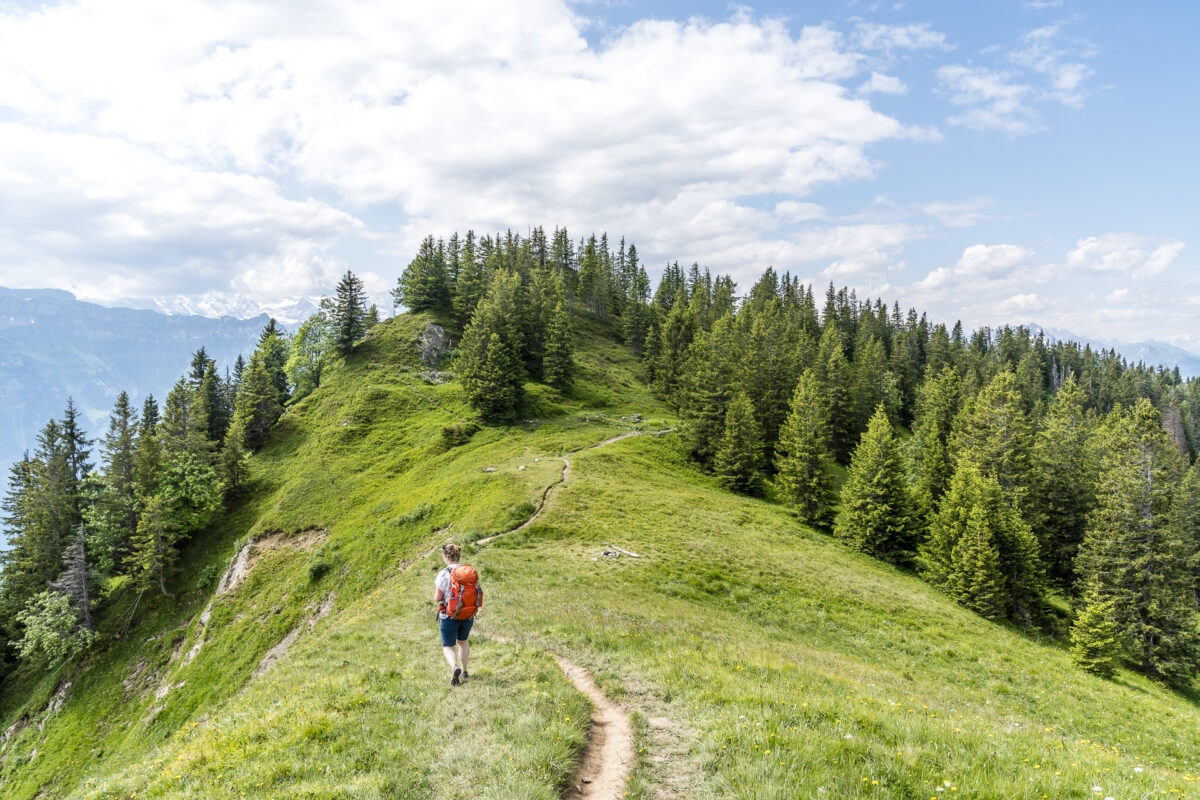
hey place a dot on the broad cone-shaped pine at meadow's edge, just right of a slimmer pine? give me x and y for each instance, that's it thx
(877, 512)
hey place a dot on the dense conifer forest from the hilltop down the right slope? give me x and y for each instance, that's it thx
(1004, 467)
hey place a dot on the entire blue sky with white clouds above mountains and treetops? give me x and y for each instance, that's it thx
(992, 161)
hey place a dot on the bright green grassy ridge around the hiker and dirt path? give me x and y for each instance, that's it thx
(763, 660)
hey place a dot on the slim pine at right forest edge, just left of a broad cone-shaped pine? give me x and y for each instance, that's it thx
(803, 477)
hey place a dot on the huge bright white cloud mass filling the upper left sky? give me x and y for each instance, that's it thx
(244, 141)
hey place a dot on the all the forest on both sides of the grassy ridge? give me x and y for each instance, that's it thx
(1034, 482)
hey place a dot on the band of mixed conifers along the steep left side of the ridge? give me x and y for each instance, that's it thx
(82, 534)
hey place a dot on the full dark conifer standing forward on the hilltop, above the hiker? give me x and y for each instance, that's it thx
(490, 353)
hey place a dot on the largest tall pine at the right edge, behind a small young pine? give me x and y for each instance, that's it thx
(1133, 554)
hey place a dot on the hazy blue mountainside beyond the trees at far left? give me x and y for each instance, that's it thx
(53, 347)
